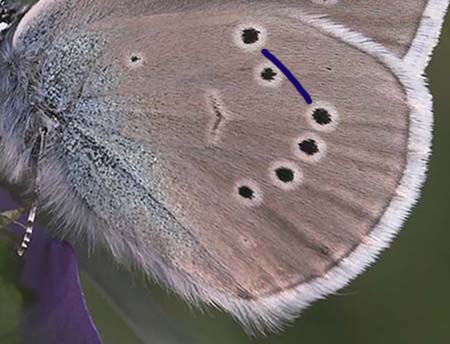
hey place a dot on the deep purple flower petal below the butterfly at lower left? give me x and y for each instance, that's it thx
(58, 311)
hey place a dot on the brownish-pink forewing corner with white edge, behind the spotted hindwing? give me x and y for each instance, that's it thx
(409, 30)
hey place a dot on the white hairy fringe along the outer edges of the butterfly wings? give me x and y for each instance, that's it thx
(270, 313)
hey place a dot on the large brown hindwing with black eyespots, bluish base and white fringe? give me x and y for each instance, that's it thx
(207, 166)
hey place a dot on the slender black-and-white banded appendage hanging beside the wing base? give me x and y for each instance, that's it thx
(33, 210)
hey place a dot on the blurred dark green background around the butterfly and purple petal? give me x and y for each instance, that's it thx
(404, 298)
